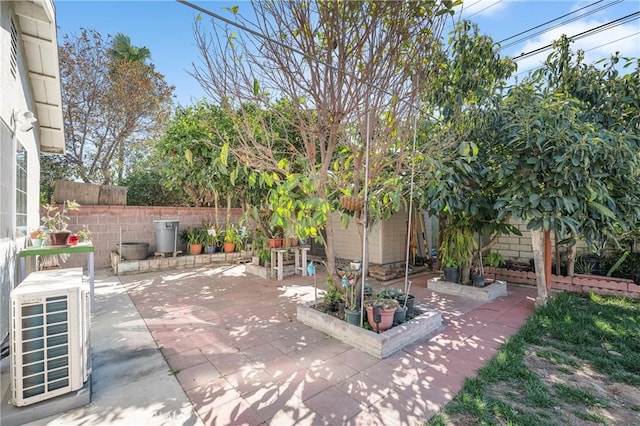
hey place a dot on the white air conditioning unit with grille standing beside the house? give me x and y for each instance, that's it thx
(50, 348)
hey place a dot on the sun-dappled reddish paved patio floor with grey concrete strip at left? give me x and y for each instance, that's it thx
(238, 354)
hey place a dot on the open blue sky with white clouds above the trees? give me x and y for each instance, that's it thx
(166, 28)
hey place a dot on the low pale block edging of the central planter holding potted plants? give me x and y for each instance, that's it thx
(378, 345)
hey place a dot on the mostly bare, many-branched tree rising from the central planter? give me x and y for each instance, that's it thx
(350, 70)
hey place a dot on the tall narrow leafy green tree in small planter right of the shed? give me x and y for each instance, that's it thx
(452, 182)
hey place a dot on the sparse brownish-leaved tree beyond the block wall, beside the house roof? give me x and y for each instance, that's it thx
(111, 106)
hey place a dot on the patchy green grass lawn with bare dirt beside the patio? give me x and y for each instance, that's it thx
(576, 361)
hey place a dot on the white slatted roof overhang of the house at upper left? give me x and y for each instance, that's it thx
(38, 32)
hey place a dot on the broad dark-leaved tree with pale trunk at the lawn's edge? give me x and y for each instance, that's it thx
(570, 163)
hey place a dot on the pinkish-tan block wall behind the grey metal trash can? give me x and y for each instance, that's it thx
(135, 224)
